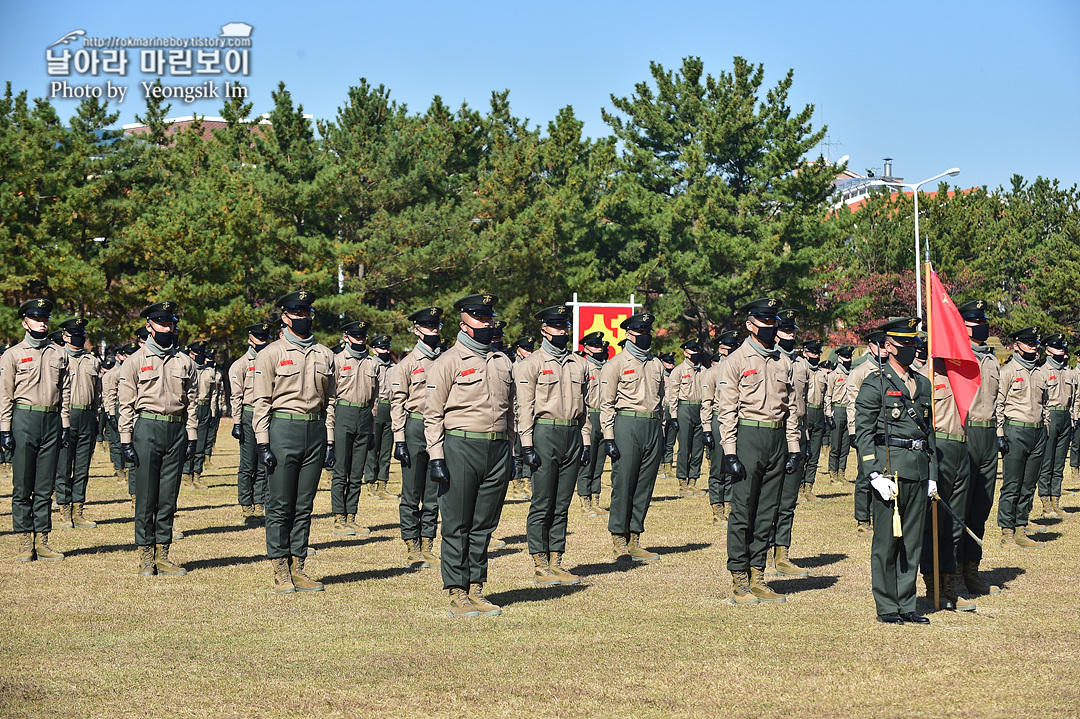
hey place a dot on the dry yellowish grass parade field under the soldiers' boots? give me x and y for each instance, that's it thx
(87, 637)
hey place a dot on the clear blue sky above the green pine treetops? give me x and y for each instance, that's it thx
(993, 88)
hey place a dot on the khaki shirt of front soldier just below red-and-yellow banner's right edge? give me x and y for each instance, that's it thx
(630, 385)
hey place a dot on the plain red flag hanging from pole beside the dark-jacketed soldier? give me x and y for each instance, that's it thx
(949, 342)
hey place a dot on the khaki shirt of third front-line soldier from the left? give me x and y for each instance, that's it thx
(292, 379)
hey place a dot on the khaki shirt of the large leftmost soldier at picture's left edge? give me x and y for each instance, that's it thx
(35, 377)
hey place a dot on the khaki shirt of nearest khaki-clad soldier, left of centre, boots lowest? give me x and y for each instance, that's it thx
(469, 394)
